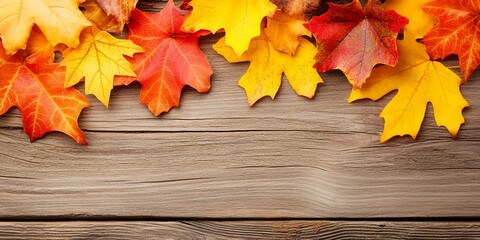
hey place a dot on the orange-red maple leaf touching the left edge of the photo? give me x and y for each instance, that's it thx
(35, 86)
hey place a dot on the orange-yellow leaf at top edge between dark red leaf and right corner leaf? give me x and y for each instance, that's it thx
(420, 22)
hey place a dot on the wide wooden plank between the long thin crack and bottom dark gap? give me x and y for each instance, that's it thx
(266, 174)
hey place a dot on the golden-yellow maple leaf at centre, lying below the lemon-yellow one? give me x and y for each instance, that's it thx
(264, 75)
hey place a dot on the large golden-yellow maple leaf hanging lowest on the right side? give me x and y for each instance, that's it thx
(419, 81)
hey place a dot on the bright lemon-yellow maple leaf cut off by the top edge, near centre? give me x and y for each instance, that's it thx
(241, 19)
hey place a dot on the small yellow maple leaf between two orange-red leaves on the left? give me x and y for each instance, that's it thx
(99, 58)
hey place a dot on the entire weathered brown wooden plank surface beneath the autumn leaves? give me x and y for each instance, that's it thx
(214, 167)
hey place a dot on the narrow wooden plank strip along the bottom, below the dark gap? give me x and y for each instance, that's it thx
(240, 230)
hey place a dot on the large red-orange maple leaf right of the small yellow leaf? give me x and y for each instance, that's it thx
(172, 58)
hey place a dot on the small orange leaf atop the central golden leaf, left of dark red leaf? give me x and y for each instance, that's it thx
(285, 31)
